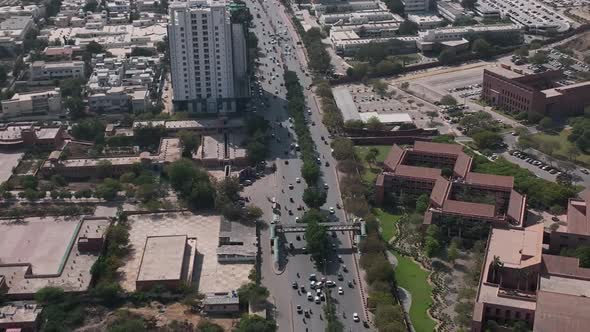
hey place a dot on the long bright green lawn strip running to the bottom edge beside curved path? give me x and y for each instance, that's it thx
(413, 279)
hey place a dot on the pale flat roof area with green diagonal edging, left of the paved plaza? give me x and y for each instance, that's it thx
(41, 252)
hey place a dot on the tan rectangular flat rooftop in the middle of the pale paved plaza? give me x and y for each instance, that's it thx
(163, 258)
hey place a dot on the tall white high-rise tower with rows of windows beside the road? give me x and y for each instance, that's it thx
(208, 57)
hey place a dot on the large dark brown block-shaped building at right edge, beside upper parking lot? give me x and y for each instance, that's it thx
(515, 92)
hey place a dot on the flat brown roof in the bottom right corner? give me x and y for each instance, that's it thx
(560, 312)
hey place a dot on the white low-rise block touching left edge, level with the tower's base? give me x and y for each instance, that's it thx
(29, 104)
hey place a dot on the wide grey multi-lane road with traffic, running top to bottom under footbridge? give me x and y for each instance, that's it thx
(279, 51)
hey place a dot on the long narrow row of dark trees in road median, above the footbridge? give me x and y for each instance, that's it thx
(296, 106)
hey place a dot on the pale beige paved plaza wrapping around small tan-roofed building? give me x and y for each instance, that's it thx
(209, 275)
